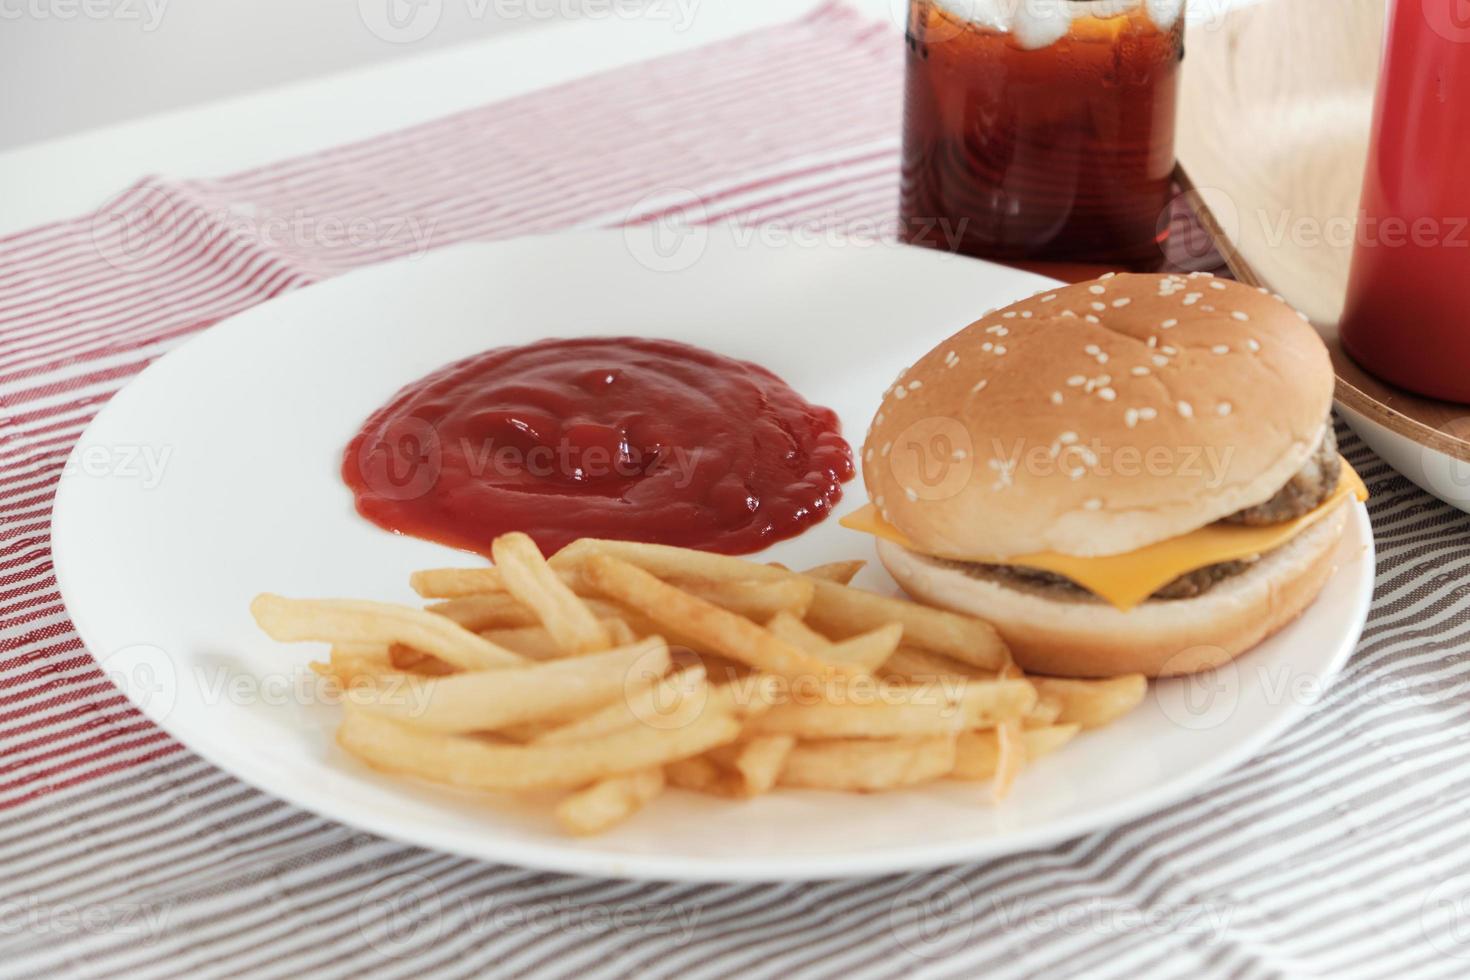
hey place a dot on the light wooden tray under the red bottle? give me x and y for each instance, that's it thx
(1274, 127)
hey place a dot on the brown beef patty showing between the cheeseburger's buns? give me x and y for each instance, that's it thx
(1303, 493)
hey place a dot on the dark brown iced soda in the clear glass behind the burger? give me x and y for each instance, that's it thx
(1061, 154)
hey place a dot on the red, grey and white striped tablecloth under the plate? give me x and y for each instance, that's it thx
(1340, 851)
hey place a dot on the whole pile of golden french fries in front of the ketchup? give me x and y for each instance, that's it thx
(618, 669)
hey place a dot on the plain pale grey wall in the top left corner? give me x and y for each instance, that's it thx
(74, 65)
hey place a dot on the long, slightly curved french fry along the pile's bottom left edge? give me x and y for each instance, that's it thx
(474, 763)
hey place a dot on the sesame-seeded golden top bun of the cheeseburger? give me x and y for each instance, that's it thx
(1099, 418)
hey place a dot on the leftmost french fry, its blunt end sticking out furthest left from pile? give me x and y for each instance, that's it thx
(361, 622)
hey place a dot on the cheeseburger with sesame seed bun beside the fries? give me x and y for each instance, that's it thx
(1137, 474)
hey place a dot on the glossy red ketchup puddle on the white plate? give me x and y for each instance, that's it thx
(624, 439)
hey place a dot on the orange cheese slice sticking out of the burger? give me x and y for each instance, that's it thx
(1128, 580)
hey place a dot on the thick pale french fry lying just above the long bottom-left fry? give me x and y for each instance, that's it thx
(490, 700)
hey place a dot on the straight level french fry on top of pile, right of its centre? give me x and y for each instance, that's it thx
(927, 712)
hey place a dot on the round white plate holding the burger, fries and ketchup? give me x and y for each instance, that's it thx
(214, 478)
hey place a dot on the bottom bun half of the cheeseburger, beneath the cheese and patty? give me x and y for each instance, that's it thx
(1086, 637)
